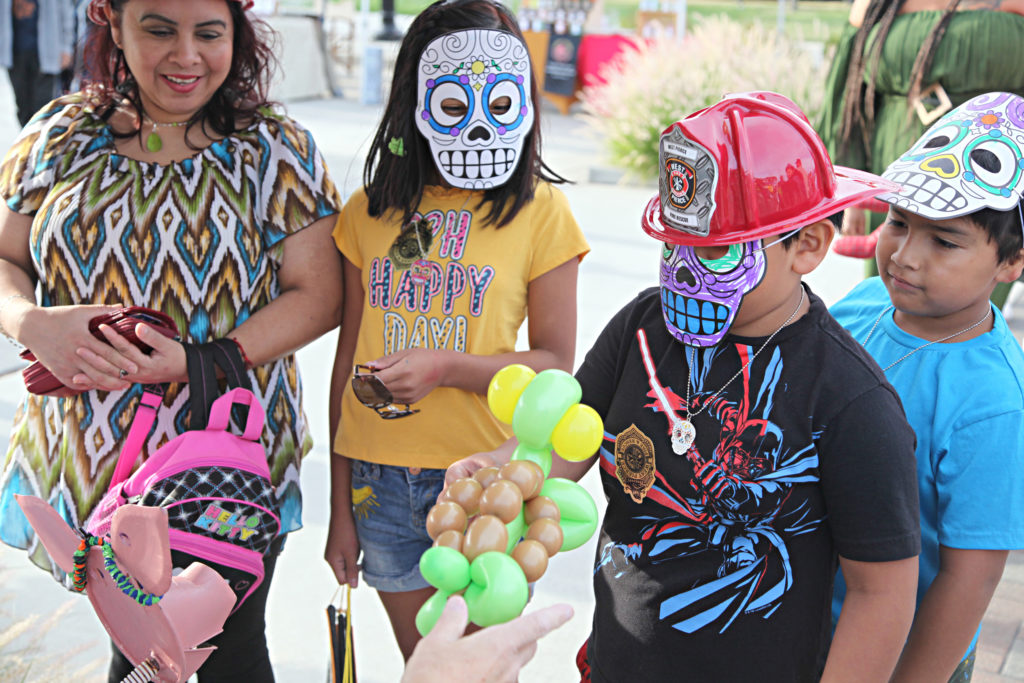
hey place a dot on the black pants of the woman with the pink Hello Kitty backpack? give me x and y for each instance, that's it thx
(241, 656)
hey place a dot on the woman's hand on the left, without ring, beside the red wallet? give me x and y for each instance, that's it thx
(56, 334)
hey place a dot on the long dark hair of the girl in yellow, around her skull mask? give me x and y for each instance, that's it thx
(397, 184)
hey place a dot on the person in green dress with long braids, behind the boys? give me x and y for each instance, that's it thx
(902, 65)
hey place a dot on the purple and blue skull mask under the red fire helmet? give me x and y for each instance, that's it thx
(701, 297)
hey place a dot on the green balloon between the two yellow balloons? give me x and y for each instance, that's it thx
(542, 405)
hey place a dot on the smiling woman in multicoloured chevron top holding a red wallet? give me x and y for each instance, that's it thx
(168, 183)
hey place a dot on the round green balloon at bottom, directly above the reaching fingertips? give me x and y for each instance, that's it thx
(498, 592)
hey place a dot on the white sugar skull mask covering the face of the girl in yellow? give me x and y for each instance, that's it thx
(475, 107)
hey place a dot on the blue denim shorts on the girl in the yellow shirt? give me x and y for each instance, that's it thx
(391, 505)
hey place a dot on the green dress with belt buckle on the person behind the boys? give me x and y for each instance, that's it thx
(982, 52)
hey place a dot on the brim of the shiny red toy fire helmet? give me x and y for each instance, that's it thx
(852, 187)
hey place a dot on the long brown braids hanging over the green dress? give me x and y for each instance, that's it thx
(859, 101)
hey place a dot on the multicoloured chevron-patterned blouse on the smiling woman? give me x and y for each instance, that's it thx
(199, 239)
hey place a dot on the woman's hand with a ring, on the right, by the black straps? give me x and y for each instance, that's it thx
(166, 363)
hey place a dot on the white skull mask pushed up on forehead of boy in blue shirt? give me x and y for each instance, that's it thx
(971, 159)
